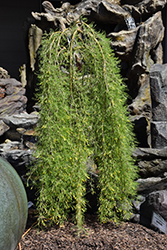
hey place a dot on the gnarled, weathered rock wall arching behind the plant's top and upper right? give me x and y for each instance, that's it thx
(135, 31)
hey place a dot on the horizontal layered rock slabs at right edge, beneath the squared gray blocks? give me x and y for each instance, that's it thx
(152, 167)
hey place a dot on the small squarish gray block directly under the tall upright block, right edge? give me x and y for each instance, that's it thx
(159, 134)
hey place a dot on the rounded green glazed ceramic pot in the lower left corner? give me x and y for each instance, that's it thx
(13, 207)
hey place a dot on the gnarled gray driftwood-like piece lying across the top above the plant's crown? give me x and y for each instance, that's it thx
(102, 11)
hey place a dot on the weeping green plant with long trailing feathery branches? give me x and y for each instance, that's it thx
(83, 114)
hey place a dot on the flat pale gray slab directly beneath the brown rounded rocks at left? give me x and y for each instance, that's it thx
(23, 120)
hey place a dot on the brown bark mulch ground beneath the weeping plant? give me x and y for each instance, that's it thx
(95, 236)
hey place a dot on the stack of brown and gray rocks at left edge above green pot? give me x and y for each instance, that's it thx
(17, 136)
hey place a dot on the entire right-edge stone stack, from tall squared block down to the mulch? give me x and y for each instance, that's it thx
(152, 162)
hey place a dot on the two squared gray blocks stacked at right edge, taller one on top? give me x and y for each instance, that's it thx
(158, 85)
